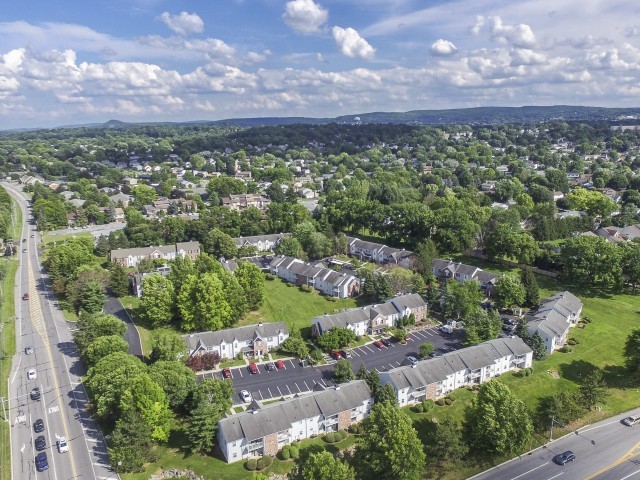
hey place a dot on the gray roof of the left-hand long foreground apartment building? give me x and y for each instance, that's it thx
(269, 419)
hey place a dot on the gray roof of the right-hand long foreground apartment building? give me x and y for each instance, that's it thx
(437, 369)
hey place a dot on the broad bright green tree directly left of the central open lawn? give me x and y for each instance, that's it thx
(202, 304)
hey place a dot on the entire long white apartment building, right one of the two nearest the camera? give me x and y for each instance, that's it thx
(436, 377)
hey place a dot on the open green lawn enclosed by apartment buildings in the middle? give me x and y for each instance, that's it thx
(284, 302)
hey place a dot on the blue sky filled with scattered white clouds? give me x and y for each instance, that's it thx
(66, 62)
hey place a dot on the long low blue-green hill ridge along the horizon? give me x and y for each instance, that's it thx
(468, 116)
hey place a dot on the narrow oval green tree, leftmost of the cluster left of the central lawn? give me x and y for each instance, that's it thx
(158, 300)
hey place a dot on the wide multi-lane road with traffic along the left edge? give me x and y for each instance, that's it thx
(62, 405)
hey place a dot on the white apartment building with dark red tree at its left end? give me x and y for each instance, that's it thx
(250, 341)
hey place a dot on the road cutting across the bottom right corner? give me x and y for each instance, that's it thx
(615, 456)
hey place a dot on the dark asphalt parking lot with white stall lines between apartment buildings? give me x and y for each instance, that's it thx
(294, 378)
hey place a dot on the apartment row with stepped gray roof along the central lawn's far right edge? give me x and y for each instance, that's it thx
(327, 281)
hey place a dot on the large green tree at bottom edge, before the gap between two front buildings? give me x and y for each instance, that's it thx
(389, 447)
